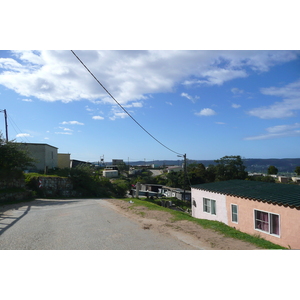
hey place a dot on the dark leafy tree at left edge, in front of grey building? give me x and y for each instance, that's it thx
(13, 158)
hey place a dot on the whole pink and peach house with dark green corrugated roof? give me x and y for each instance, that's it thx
(271, 210)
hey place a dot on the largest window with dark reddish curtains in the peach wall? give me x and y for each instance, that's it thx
(266, 222)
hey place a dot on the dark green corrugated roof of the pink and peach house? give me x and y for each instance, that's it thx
(277, 193)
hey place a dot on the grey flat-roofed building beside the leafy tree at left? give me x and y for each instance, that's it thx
(44, 154)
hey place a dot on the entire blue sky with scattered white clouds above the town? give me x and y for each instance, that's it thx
(206, 104)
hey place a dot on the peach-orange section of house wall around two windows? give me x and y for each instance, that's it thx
(289, 220)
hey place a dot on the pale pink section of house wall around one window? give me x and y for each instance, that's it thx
(221, 210)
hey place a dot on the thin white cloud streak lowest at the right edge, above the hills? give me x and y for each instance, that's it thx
(278, 132)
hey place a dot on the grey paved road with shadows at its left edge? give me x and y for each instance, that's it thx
(79, 224)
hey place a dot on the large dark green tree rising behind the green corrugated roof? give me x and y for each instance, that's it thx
(230, 167)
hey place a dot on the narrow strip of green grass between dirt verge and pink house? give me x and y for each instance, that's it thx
(214, 225)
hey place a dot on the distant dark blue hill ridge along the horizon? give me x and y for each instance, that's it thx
(285, 165)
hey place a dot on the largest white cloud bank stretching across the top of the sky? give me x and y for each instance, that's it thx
(130, 76)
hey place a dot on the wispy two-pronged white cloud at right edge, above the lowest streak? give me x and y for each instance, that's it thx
(284, 109)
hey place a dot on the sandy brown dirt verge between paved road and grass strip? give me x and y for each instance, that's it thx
(186, 231)
